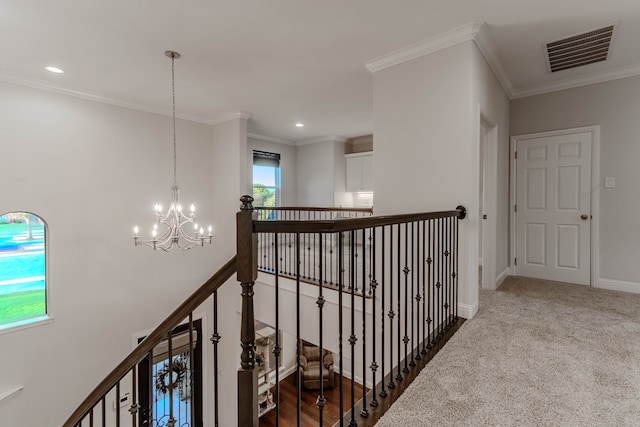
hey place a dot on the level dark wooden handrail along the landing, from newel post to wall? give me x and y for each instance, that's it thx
(337, 225)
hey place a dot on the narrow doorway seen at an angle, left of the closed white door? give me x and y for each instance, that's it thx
(487, 203)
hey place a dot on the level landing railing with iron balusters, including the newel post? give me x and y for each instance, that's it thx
(394, 306)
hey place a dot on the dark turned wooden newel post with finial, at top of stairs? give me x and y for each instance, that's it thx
(247, 263)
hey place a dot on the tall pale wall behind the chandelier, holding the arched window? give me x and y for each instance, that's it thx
(92, 171)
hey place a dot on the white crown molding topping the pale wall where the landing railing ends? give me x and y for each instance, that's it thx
(441, 41)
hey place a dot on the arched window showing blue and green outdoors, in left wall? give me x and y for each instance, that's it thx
(23, 281)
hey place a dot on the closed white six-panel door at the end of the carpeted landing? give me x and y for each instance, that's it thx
(553, 207)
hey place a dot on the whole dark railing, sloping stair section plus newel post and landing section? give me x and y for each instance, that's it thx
(392, 312)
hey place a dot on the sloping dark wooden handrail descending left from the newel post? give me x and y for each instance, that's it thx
(152, 340)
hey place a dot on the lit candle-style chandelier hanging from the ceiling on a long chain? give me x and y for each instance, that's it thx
(173, 227)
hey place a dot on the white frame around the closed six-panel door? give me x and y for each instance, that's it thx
(595, 193)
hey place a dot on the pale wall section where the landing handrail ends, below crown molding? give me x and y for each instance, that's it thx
(424, 157)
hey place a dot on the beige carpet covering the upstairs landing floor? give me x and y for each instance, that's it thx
(538, 353)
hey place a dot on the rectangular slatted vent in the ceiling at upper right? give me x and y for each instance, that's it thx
(583, 49)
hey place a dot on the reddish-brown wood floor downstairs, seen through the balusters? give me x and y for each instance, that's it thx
(309, 413)
